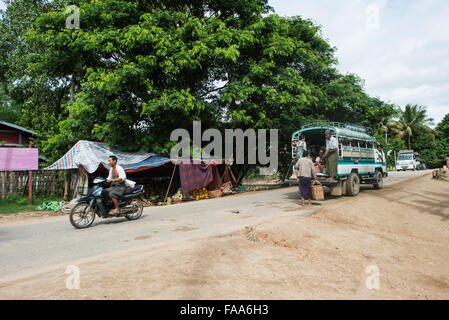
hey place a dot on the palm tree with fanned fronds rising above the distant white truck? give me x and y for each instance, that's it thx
(411, 121)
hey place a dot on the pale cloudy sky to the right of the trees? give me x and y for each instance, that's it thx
(399, 47)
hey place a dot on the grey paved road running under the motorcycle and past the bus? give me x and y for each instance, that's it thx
(30, 247)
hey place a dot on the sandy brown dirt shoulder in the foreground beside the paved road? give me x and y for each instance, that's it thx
(399, 234)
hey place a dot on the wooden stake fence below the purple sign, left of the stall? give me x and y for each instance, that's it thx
(43, 183)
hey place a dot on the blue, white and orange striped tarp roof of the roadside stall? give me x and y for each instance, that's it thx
(91, 154)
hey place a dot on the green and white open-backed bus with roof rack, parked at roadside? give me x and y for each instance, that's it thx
(357, 163)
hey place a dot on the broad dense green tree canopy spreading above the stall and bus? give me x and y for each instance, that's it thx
(136, 70)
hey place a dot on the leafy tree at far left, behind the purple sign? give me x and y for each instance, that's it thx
(29, 99)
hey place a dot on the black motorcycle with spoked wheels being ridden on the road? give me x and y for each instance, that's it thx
(83, 213)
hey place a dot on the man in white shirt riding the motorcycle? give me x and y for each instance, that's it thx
(116, 177)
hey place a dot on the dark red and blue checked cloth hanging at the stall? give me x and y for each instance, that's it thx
(194, 176)
